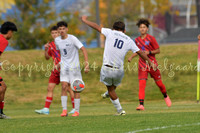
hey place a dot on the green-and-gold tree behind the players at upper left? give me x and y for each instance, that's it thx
(34, 18)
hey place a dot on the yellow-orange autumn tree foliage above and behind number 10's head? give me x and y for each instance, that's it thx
(127, 10)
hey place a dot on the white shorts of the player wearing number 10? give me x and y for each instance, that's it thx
(111, 76)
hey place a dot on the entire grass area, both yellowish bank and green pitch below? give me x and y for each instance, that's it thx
(27, 90)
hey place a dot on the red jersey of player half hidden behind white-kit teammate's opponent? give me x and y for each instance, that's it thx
(55, 54)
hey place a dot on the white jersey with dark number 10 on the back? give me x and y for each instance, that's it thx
(117, 44)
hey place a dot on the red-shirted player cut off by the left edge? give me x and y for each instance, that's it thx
(7, 30)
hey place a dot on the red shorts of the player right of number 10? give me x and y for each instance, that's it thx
(143, 74)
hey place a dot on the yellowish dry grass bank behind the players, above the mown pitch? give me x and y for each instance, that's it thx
(30, 86)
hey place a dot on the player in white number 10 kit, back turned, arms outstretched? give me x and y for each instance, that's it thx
(117, 44)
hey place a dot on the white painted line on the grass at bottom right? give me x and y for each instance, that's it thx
(163, 127)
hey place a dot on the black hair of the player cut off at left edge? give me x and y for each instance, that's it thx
(7, 26)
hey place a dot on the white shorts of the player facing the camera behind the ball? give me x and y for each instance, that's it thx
(70, 74)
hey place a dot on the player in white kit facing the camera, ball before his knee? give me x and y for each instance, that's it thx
(68, 45)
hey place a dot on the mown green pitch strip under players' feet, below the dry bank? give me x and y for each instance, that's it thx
(100, 118)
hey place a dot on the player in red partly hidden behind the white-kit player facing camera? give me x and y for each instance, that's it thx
(54, 79)
